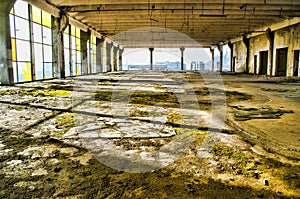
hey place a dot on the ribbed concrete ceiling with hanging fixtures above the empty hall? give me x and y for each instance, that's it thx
(208, 22)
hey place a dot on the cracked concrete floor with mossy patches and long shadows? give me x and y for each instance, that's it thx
(151, 135)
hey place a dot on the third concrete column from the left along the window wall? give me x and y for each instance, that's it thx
(84, 37)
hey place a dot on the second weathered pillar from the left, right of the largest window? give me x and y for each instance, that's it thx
(58, 27)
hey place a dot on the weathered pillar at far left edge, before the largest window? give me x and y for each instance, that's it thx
(6, 70)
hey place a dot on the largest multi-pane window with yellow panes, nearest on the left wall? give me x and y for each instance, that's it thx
(31, 38)
